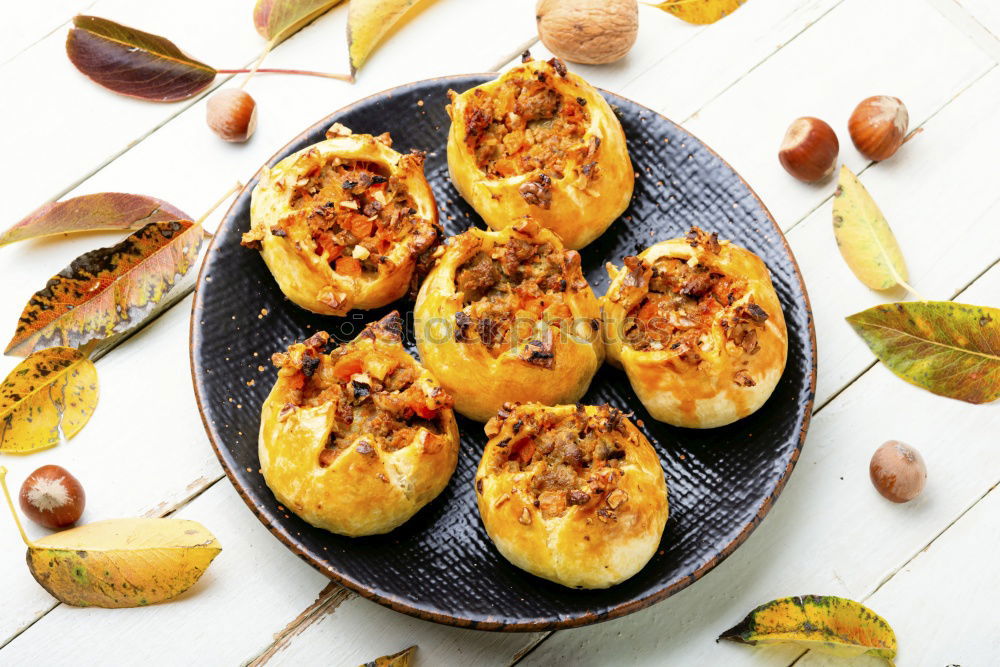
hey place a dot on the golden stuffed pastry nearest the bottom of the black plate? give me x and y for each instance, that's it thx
(574, 494)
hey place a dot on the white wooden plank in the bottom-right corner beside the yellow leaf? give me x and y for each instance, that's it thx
(941, 604)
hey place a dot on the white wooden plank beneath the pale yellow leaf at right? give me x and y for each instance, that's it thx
(939, 196)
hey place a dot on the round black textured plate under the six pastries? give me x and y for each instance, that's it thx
(441, 565)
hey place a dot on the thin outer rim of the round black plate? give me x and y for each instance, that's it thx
(402, 606)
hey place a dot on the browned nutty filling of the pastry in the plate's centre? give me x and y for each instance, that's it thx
(512, 293)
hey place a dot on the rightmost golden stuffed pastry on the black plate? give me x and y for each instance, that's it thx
(698, 328)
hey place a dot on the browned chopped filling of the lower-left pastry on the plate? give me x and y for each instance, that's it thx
(378, 402)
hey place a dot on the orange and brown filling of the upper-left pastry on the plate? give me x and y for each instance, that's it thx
(355, 212)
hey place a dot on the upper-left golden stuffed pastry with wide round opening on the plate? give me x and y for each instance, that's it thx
(344, 223)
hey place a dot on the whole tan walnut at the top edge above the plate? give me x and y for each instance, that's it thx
(591, 32)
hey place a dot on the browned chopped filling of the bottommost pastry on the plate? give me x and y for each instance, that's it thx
(572, 459)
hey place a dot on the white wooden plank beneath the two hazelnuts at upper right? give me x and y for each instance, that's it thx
(814, 77)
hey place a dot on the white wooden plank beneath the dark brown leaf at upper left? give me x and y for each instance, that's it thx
(70, 126)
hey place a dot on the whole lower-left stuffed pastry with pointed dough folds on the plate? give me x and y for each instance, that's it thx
(358, 439)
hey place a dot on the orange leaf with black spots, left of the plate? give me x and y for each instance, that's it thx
(109, 290)
